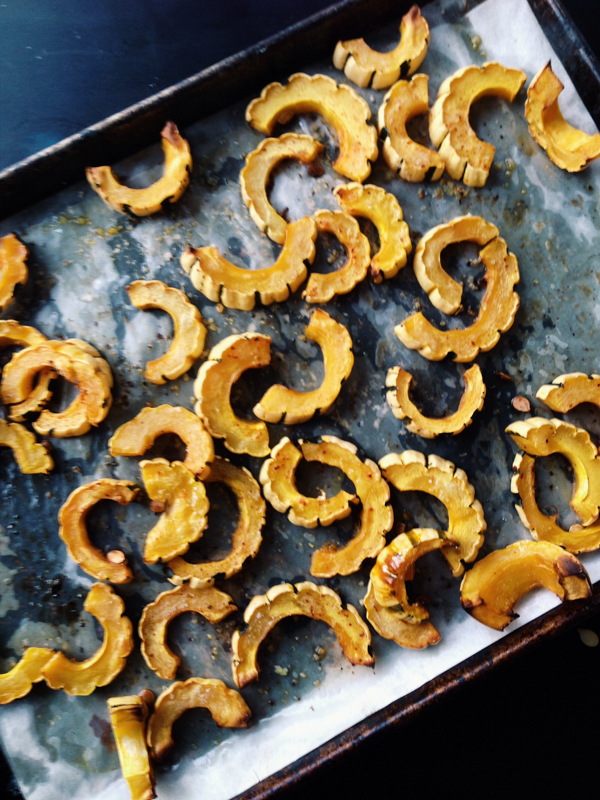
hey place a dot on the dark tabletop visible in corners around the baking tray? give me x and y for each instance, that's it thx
(529, 726)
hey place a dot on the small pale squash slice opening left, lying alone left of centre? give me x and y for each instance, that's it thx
(190, 332)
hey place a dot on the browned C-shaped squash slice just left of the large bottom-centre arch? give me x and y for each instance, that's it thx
(210, 603)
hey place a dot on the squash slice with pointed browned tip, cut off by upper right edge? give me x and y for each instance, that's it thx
(566, 146)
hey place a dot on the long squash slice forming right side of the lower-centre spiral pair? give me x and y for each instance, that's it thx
(376, 516)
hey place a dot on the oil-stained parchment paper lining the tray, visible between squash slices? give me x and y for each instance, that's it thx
(83, 255)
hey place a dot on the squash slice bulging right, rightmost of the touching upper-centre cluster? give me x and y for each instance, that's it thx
(384, 211)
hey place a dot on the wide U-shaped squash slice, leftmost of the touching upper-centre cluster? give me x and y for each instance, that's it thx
(221, 281)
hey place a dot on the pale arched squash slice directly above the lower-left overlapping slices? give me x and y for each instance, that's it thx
(133, 438)
